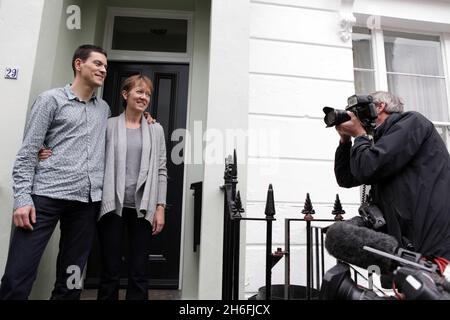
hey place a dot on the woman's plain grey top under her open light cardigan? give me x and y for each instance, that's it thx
(134, 151)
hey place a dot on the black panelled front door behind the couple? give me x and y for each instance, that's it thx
(168, 106)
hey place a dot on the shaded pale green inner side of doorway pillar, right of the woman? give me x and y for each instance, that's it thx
(198, 109)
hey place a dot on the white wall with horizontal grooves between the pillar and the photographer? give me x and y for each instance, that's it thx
(298, 65)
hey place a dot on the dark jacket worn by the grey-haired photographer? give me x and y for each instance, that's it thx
(408, 166)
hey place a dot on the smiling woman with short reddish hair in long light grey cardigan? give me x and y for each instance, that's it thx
(134, 191)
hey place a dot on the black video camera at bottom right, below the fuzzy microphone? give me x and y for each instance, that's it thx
(414, 277)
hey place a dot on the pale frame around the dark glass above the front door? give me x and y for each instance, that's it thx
(154, 56)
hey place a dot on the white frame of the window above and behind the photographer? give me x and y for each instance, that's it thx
(379, 65)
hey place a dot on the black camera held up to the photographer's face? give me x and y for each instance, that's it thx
(361, 105)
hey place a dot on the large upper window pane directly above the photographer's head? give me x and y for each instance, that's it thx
(413, 53)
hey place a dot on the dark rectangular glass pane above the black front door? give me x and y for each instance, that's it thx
(149, 34)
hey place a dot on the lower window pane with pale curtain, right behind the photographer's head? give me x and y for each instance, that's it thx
(423, 94)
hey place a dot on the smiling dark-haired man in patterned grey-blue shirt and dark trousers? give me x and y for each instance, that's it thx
(67, 187)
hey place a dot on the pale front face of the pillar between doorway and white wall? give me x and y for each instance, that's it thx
(227, 109)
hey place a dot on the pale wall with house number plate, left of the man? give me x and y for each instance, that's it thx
(20, 23)
